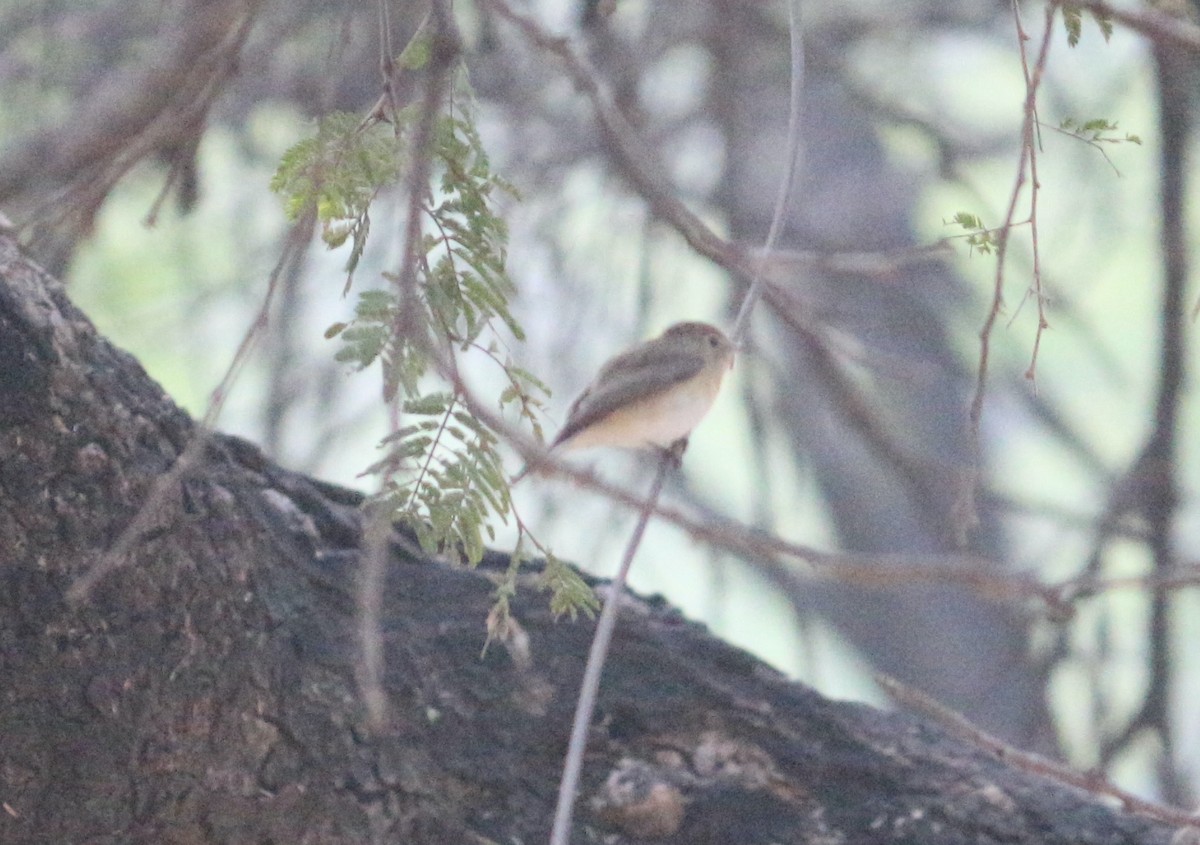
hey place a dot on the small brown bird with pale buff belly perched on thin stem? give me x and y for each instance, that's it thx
(652, 395)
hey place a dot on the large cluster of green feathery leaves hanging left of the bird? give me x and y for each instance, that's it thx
(441, 470)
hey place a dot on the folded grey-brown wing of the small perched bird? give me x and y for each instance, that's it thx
(626, 380)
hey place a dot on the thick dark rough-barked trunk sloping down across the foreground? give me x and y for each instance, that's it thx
(206, 692)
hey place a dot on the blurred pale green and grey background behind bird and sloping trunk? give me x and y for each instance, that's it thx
(139, 145)
